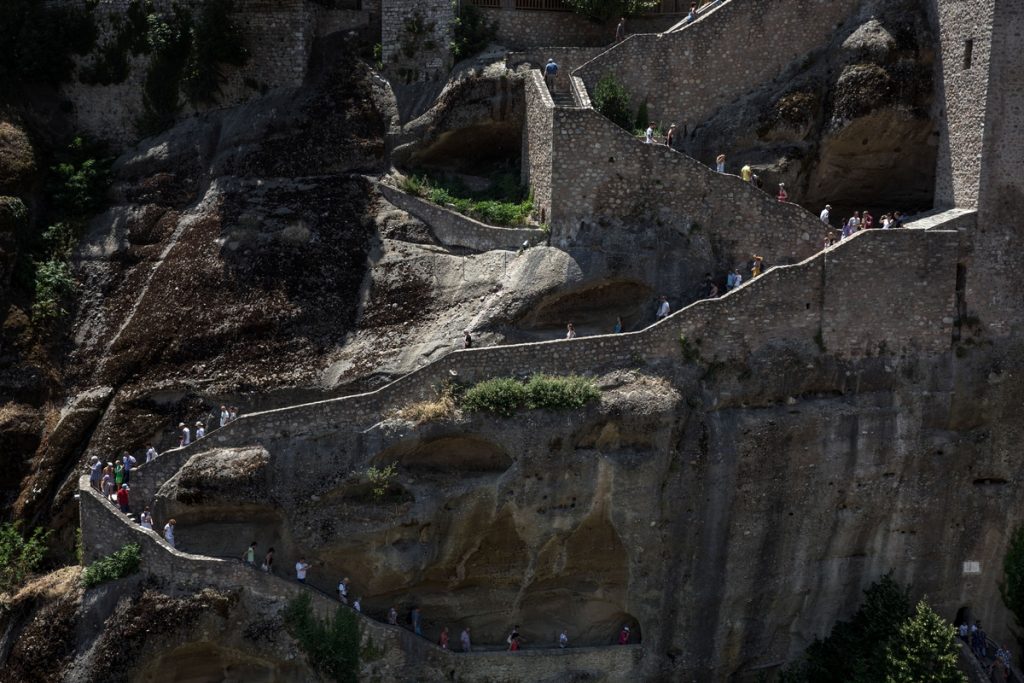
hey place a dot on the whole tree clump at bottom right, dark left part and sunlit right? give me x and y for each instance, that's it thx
(886, 641)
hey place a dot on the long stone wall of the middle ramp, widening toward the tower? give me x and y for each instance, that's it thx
(863, 296)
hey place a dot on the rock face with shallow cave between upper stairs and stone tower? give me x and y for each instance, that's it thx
(852, 126)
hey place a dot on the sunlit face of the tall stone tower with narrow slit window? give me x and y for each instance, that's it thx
(962, 98)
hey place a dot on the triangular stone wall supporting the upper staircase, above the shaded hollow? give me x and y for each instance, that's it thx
(600, 170)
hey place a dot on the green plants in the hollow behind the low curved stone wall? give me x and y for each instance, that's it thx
(504, 202)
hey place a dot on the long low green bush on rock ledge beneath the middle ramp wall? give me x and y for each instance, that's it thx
(505, 396)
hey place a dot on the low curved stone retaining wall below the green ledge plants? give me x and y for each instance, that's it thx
(454, 230)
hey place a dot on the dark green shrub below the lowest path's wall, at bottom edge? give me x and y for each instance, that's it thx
(332, 646)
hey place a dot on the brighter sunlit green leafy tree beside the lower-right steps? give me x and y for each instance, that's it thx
(923, 651)
